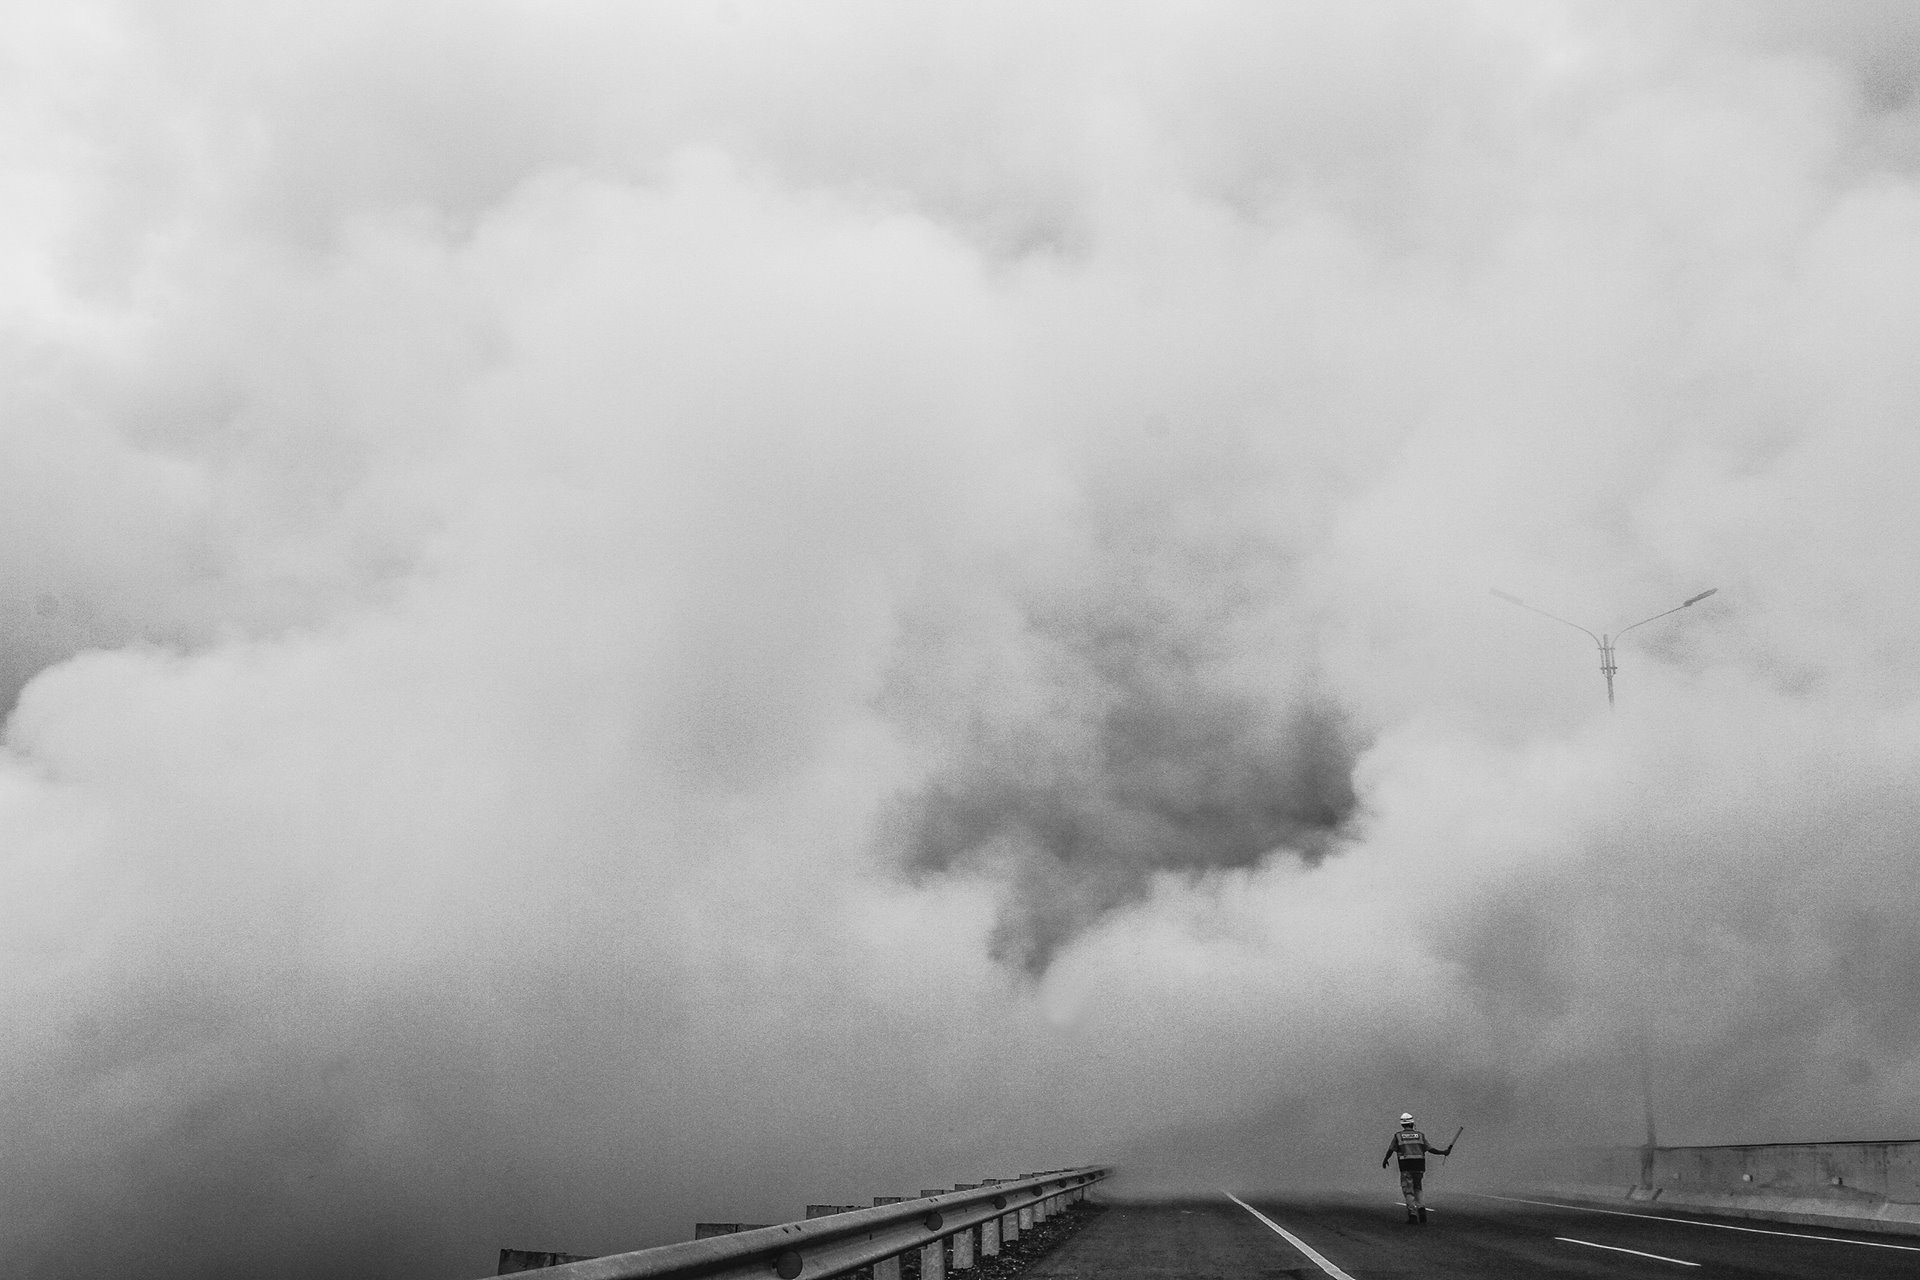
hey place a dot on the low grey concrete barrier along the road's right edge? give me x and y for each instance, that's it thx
(1856, 1185)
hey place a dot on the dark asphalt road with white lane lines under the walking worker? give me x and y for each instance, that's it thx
(1368, 1239)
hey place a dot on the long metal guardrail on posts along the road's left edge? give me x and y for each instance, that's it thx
(836, 1244)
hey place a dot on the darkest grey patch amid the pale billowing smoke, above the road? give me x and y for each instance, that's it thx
(1172, 780)
